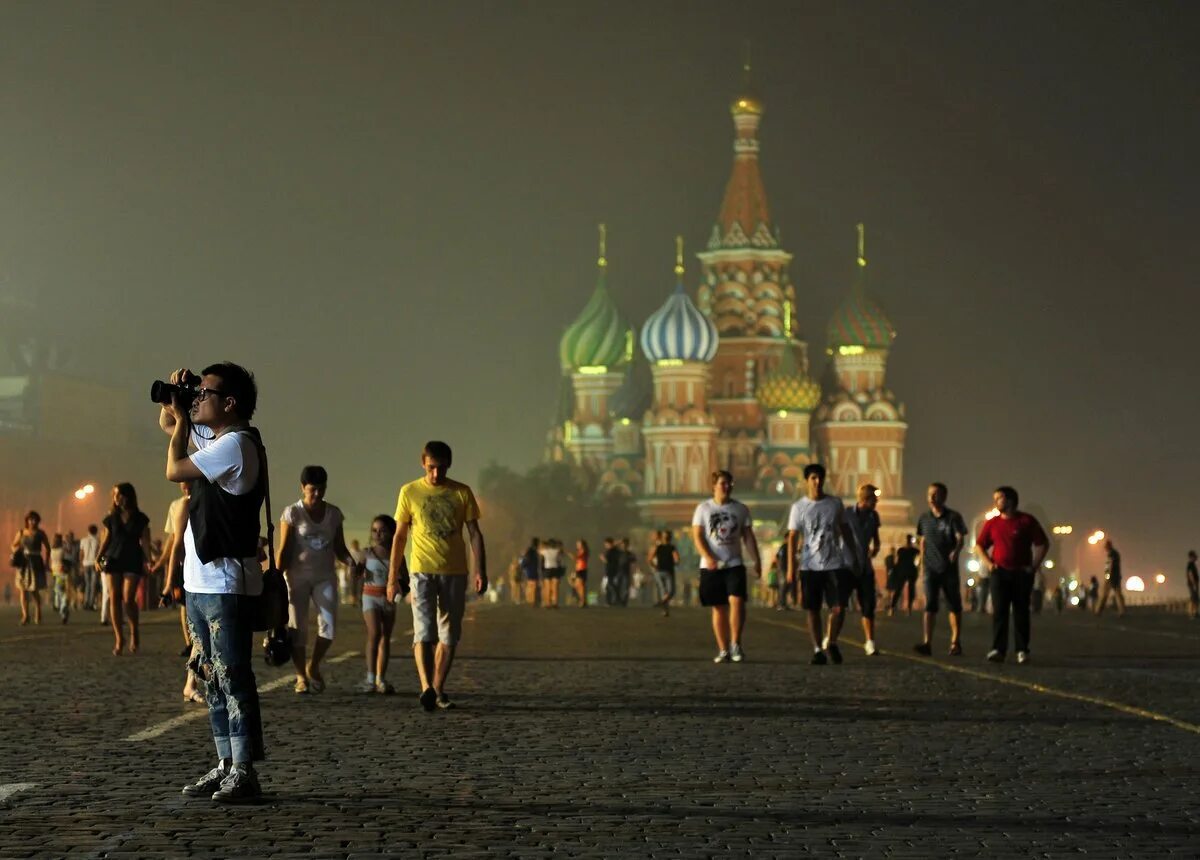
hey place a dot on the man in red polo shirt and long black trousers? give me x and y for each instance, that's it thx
(1012, 546)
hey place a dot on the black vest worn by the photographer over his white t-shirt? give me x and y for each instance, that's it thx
(226, 526)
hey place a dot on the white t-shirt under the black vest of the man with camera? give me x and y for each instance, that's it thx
(232, 464)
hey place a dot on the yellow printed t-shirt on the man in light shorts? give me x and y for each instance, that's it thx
(437, 516)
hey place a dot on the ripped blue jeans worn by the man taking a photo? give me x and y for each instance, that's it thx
(220, 626)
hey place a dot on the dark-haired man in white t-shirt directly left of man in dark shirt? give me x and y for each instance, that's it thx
(820, 522)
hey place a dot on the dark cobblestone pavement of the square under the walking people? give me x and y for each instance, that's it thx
(610, 733)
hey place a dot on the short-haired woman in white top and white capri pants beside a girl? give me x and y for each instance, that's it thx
(311, 540)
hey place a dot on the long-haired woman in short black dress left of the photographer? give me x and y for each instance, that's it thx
(125, 552)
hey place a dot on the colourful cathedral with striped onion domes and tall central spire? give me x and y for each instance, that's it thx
(722, 380)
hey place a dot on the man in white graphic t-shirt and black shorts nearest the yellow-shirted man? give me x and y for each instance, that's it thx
(719, 528)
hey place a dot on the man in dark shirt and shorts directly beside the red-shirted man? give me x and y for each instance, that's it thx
(941, 533)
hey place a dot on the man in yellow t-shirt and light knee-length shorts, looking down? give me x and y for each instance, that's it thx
(433, 512)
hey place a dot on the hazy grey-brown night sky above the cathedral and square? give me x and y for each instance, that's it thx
(388, 212)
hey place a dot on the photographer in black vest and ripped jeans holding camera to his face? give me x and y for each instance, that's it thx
(221, 569)
